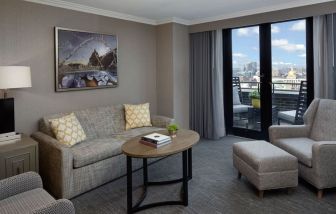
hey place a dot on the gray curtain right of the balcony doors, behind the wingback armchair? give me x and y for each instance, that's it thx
(324, 56)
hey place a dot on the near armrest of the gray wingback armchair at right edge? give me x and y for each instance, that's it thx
(324, 162)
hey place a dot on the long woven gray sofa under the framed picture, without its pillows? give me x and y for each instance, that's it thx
(68, 172)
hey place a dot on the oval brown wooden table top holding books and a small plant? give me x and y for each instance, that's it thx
(184, 140)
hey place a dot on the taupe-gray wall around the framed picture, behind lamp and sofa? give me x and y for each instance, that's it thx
(27, 38)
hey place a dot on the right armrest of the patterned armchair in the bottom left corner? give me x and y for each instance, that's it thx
(62, 206)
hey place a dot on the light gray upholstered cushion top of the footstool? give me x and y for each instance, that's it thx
(264, 157)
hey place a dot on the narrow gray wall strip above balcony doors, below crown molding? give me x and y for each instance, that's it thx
(281, 15)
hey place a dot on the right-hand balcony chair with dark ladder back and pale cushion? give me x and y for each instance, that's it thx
(295, 117)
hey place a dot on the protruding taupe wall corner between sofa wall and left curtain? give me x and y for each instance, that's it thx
(173, 72)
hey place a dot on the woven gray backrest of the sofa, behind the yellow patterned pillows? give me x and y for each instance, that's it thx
(97, 122)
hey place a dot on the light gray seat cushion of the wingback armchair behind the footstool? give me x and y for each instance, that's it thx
(299, 147)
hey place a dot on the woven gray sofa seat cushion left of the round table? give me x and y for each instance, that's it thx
(92, 151)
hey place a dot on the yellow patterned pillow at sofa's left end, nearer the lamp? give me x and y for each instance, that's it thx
(68, 130)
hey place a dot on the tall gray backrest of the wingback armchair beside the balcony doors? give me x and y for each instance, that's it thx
(324, 125)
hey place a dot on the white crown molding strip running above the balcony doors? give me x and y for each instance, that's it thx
(289, 5)
